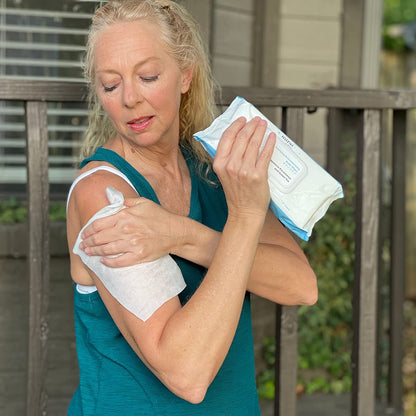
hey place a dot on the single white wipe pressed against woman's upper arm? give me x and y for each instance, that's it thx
(141, 288)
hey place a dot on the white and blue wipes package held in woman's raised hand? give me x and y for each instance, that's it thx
(301, 190)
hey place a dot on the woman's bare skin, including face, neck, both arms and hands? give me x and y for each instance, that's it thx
(140, 83)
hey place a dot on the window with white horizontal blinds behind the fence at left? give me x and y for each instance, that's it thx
(42, 40)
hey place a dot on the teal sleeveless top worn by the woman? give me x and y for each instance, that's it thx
(113, 379)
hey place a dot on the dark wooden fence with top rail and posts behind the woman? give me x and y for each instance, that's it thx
(371, 107)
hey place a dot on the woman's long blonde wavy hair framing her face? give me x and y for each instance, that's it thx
(180, 33)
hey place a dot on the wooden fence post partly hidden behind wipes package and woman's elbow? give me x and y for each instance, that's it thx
(287, 316)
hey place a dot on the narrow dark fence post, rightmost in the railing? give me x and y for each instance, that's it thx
(398, 243)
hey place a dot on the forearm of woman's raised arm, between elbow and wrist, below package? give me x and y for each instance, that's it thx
(199, 335)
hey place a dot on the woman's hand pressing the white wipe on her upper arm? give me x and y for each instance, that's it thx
(144, 231)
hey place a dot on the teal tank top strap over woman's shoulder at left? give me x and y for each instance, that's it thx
(139, 182)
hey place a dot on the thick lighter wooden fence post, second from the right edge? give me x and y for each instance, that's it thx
(366, 262)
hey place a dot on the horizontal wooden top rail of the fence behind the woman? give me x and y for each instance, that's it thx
(266, 97)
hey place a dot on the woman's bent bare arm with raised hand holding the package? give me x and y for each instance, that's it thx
(185, 346)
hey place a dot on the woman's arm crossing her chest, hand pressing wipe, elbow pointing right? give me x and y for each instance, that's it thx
(280, 273)
